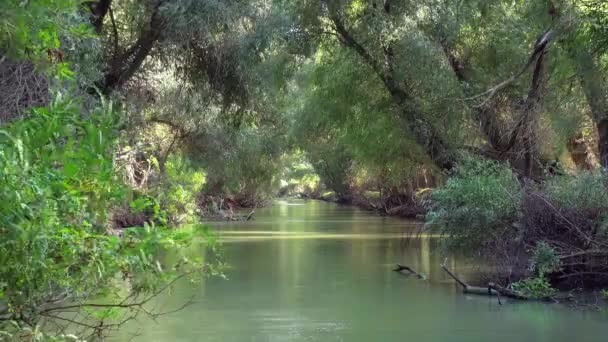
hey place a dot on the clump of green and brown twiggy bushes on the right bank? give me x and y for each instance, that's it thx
(483, 210)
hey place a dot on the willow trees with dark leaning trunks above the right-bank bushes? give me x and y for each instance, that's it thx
(502, 63)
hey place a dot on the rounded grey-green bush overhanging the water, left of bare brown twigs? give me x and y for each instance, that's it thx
(476, 206)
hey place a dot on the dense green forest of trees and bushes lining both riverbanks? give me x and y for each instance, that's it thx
(124, 124)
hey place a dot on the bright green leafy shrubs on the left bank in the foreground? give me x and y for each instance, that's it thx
(57, 185)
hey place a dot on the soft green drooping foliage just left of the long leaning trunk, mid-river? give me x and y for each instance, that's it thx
(344, 120)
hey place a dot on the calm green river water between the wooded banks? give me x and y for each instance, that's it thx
(315, 271)
